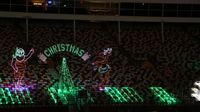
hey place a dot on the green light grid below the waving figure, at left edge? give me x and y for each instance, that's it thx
(15, 97)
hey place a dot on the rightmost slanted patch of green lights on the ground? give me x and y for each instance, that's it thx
(164, 97)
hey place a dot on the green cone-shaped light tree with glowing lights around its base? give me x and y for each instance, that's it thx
(64, 89)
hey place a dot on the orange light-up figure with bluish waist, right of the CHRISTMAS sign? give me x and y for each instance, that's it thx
(101, 64)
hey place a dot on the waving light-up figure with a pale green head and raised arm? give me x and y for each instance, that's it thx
(19, 63)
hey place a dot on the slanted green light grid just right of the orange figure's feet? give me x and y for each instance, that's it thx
(123, 95)
